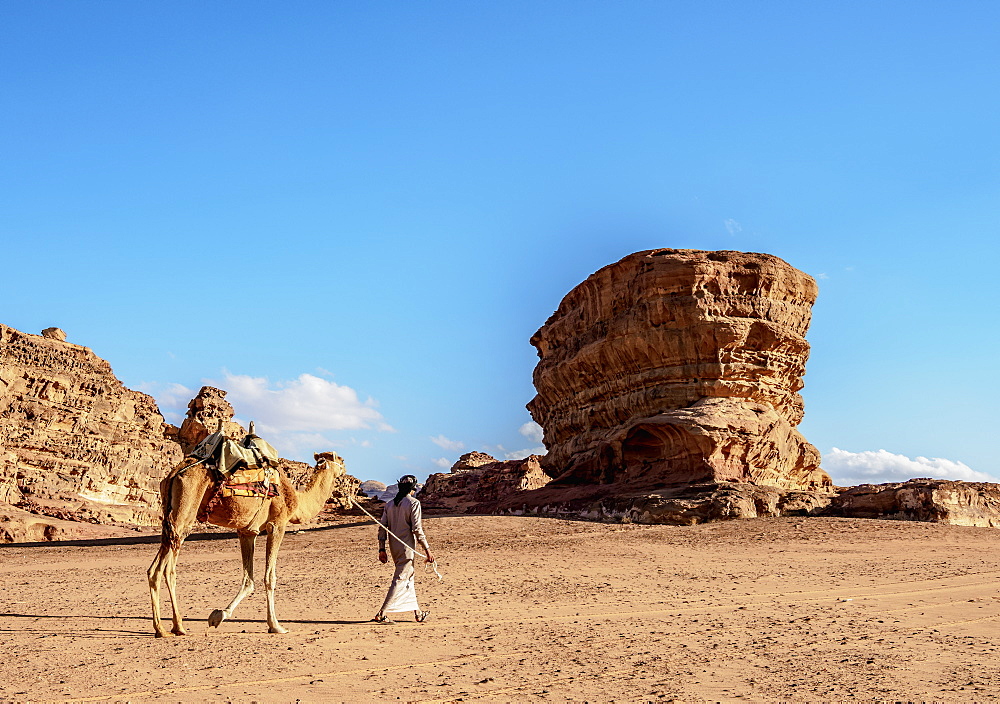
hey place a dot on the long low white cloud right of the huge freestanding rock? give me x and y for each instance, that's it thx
(880, 466)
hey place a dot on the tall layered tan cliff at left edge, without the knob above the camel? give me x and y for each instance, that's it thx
(74, 442)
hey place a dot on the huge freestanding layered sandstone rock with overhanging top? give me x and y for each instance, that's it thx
(675, 367)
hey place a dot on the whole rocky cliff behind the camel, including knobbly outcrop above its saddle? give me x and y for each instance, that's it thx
(81, 455)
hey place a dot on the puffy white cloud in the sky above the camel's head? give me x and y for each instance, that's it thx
(306, 404)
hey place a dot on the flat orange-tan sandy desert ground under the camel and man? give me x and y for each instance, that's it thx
(793, 610)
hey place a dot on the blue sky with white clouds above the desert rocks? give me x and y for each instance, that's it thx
(387, 200)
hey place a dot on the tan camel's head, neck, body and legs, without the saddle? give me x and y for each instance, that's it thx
(189, 486)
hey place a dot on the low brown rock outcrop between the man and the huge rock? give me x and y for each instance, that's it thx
(478, 483)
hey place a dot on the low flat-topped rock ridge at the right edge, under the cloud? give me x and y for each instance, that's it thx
(933, 500)
